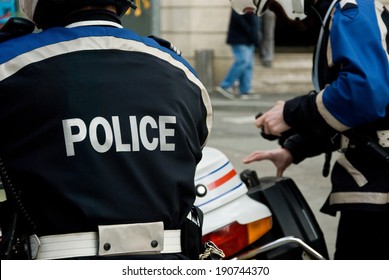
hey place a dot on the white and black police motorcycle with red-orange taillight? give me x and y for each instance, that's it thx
(247, 217)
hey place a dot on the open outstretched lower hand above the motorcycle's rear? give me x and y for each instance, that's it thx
(280, 157)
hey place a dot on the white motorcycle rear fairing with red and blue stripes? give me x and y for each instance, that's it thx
(222, 196)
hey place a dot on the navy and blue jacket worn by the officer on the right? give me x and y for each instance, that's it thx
(351, 76)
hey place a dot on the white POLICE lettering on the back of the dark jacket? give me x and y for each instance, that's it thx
(76, 130)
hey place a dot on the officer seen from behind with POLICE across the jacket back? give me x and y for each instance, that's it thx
(102, 130)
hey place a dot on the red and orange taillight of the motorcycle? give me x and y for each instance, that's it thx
(235, 237)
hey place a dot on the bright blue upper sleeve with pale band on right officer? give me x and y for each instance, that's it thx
(358, 44)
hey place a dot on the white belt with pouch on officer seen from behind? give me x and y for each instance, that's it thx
(111, 240)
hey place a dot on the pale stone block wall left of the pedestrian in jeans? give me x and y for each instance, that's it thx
(198, 25)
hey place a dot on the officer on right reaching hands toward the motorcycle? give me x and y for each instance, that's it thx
(347, 111)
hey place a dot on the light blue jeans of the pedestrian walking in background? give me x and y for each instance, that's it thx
(242, 69)
